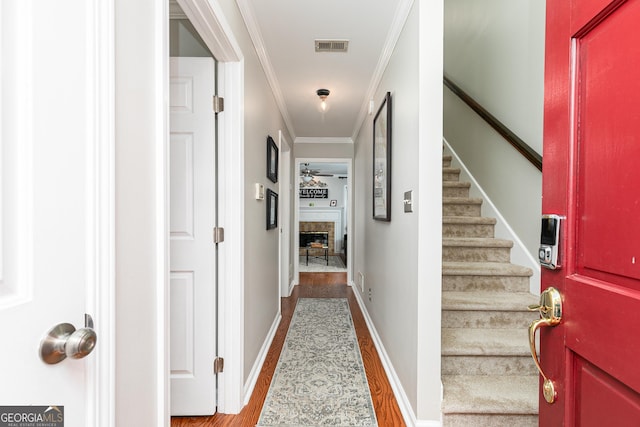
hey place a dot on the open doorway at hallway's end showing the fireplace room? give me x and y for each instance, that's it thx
(323, 216)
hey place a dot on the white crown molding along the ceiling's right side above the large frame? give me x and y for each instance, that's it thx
(399, 19)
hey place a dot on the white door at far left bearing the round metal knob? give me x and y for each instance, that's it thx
(54, 200)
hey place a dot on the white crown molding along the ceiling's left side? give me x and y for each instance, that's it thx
(248, 15)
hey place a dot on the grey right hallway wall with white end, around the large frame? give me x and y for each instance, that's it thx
(401, 259)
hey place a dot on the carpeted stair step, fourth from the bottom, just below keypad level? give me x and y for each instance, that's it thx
(485, 276)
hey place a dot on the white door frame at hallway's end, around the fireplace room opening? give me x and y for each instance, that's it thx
(296, 219)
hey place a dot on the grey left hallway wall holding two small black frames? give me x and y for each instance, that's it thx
(261, 118)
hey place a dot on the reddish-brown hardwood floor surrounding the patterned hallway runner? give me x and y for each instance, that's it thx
(313, 285)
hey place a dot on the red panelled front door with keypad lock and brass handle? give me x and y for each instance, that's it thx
(591, 175)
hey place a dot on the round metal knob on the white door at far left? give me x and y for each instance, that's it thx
(63, 341)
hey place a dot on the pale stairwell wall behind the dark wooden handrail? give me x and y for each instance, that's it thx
(494, 50)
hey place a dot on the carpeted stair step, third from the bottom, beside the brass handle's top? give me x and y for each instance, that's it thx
(499, 310)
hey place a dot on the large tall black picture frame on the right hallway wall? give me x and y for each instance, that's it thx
(382, 161)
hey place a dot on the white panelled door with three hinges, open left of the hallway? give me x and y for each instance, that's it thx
(193, 252)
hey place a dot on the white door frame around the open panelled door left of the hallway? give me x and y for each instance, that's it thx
(208, 19)
